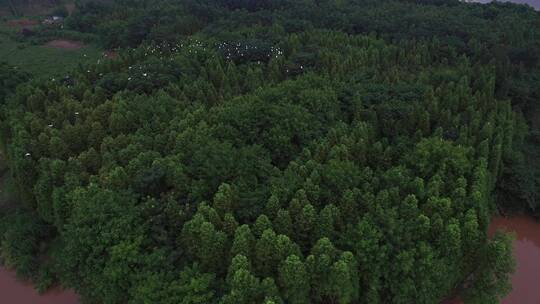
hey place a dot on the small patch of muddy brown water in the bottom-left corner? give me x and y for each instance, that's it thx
(14, 291)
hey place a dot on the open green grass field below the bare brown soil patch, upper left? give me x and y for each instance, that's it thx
(41, 60)
